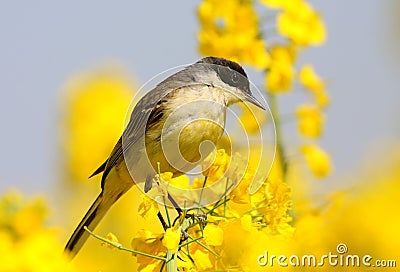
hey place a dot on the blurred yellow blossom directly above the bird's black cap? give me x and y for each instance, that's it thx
(230, 29)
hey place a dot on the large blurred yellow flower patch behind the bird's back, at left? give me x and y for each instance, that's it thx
(95, 106)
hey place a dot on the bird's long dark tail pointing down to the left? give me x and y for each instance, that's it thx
(91, 219)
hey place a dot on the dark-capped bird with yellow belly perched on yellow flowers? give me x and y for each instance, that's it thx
(167, 128)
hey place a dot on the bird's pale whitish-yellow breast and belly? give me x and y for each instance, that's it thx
(192, 124)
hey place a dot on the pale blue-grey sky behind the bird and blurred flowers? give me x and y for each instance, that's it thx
(45, 42)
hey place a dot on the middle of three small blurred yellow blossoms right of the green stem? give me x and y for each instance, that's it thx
(310, 120)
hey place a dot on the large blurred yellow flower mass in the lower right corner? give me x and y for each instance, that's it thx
(363, 218)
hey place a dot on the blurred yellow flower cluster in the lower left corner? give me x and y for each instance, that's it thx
(25, 243)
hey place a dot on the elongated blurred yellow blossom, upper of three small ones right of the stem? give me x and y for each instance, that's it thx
(311, 81)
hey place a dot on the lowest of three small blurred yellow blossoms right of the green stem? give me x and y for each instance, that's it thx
(317, 160)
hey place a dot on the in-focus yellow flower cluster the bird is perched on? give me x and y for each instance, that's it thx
(230, 222)
